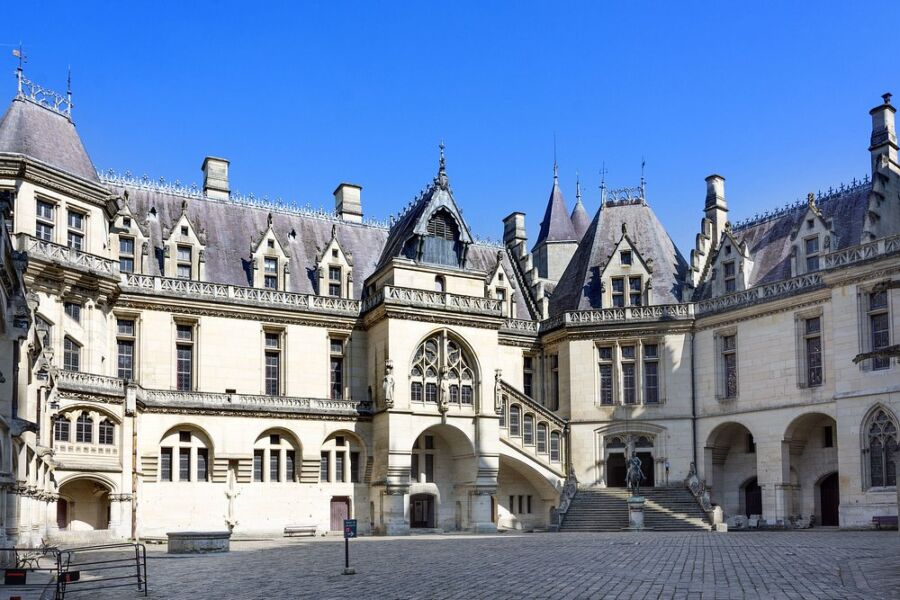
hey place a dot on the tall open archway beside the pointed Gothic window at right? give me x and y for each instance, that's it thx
(812, 452)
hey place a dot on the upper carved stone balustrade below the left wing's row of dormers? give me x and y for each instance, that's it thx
(217, 292)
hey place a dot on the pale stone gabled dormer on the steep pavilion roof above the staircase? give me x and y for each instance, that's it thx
(626, 276)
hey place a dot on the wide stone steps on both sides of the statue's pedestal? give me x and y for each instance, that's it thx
(605, 509)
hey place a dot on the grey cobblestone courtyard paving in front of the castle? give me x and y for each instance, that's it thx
(811, 564)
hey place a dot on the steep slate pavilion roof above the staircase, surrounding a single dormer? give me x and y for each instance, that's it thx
(579, 286)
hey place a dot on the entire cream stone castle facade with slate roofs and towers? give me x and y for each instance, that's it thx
(181, 358)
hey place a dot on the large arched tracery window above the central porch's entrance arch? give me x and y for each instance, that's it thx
(436, 356)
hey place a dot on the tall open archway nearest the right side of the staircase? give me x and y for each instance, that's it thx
(730, 466)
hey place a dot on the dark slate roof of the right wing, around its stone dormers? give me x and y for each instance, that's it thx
(769, 240)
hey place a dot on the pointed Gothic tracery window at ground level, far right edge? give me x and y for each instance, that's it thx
(879, 440)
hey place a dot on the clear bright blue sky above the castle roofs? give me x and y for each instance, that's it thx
(773, 96)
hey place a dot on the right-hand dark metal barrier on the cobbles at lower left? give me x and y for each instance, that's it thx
(104, 567)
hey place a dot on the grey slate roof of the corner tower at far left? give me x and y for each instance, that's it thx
(30, 129)
